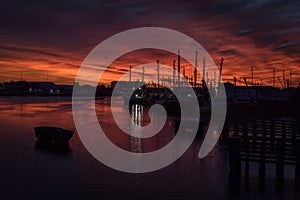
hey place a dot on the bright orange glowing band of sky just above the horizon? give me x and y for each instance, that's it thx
(62, 70)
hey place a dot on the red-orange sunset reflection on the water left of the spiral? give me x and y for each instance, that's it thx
(33, 111)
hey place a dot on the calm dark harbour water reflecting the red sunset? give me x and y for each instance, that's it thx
(31, 173)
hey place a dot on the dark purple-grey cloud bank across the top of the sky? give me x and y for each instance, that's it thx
(67, 20)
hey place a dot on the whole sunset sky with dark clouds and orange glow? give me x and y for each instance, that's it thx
(48, 40)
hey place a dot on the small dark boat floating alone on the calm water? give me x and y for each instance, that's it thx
(53, 134)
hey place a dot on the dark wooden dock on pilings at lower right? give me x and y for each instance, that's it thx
(263, 142)
